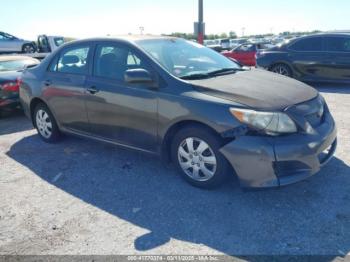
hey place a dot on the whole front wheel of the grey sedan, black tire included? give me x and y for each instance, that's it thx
(206, 169)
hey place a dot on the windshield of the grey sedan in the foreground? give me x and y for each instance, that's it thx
(182, 58)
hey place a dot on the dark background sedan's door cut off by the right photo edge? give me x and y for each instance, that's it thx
(338, 62)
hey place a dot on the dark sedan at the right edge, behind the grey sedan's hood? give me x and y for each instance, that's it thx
(315, 58)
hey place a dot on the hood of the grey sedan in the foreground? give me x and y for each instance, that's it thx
(257, 89)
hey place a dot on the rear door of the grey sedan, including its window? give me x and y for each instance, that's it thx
(64, 86)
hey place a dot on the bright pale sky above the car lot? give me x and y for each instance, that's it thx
(89, 18)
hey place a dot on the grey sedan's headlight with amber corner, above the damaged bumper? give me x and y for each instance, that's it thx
(272, 123)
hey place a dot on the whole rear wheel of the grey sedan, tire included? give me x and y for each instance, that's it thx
(46, 124)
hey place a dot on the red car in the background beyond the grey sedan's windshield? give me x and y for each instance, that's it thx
(245, 54)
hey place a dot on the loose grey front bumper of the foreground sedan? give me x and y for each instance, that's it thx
(263, 162)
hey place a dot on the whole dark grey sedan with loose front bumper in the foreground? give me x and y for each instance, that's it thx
(184, 102)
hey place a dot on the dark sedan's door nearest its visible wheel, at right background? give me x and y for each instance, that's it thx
(309, 58)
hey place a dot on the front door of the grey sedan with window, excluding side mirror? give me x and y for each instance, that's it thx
(117, 111)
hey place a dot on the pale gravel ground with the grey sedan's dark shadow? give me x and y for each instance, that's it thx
(84, 197)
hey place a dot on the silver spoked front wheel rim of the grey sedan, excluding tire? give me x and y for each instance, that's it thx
(197, 159)
